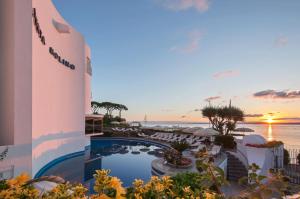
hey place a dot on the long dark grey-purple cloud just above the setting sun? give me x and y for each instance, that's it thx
(273, 94)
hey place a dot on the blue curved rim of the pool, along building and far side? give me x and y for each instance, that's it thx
(79, 153)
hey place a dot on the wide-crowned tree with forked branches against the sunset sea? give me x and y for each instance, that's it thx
(223, 119)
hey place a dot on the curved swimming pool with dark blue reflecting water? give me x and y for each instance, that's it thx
(127, 159)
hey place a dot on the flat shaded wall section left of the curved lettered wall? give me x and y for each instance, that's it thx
(16, 85)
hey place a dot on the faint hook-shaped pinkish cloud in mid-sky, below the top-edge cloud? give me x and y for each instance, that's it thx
(194, 38)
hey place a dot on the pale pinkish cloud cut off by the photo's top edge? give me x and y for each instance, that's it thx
(181, 5)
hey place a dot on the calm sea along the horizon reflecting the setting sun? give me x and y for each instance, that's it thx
(289, 134)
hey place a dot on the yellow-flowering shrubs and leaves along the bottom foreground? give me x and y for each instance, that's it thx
(206, 184)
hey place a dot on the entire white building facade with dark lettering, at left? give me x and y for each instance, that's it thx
(45, 75)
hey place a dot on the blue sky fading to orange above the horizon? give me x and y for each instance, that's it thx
(164, 58)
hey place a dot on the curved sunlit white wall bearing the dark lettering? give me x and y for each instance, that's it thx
(58, 92)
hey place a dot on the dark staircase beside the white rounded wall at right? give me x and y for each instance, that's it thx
(235, 168)
